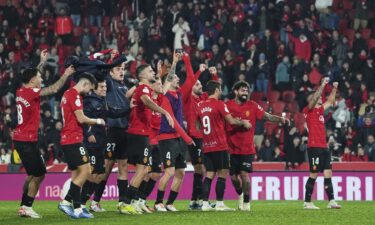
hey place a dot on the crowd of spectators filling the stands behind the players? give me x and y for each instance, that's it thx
(281, 48)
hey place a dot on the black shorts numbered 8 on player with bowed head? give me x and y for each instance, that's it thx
(75, 155)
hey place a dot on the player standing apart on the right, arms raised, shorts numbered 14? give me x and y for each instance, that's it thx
(318, 154)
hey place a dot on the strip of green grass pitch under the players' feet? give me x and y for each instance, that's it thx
(263, 212)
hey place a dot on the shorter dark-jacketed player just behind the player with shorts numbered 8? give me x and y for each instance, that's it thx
(95, 139)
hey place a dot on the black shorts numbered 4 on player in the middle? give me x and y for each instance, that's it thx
(173, 153)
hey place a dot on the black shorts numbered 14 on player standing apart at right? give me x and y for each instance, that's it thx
(319, 159)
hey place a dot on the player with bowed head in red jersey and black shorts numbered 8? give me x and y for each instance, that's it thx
(75, 154)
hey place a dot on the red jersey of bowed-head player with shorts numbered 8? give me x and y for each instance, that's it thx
(72, 131)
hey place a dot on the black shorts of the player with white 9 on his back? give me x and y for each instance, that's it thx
(214, 161)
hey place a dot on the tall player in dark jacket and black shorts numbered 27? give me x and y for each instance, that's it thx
(116, 149)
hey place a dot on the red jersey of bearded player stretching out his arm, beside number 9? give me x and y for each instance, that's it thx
(241, 140)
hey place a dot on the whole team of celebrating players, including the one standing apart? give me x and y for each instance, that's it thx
(152, 126)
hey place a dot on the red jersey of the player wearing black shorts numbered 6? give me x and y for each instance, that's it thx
(140, 115)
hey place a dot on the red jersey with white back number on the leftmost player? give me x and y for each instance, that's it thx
(28, 112)
